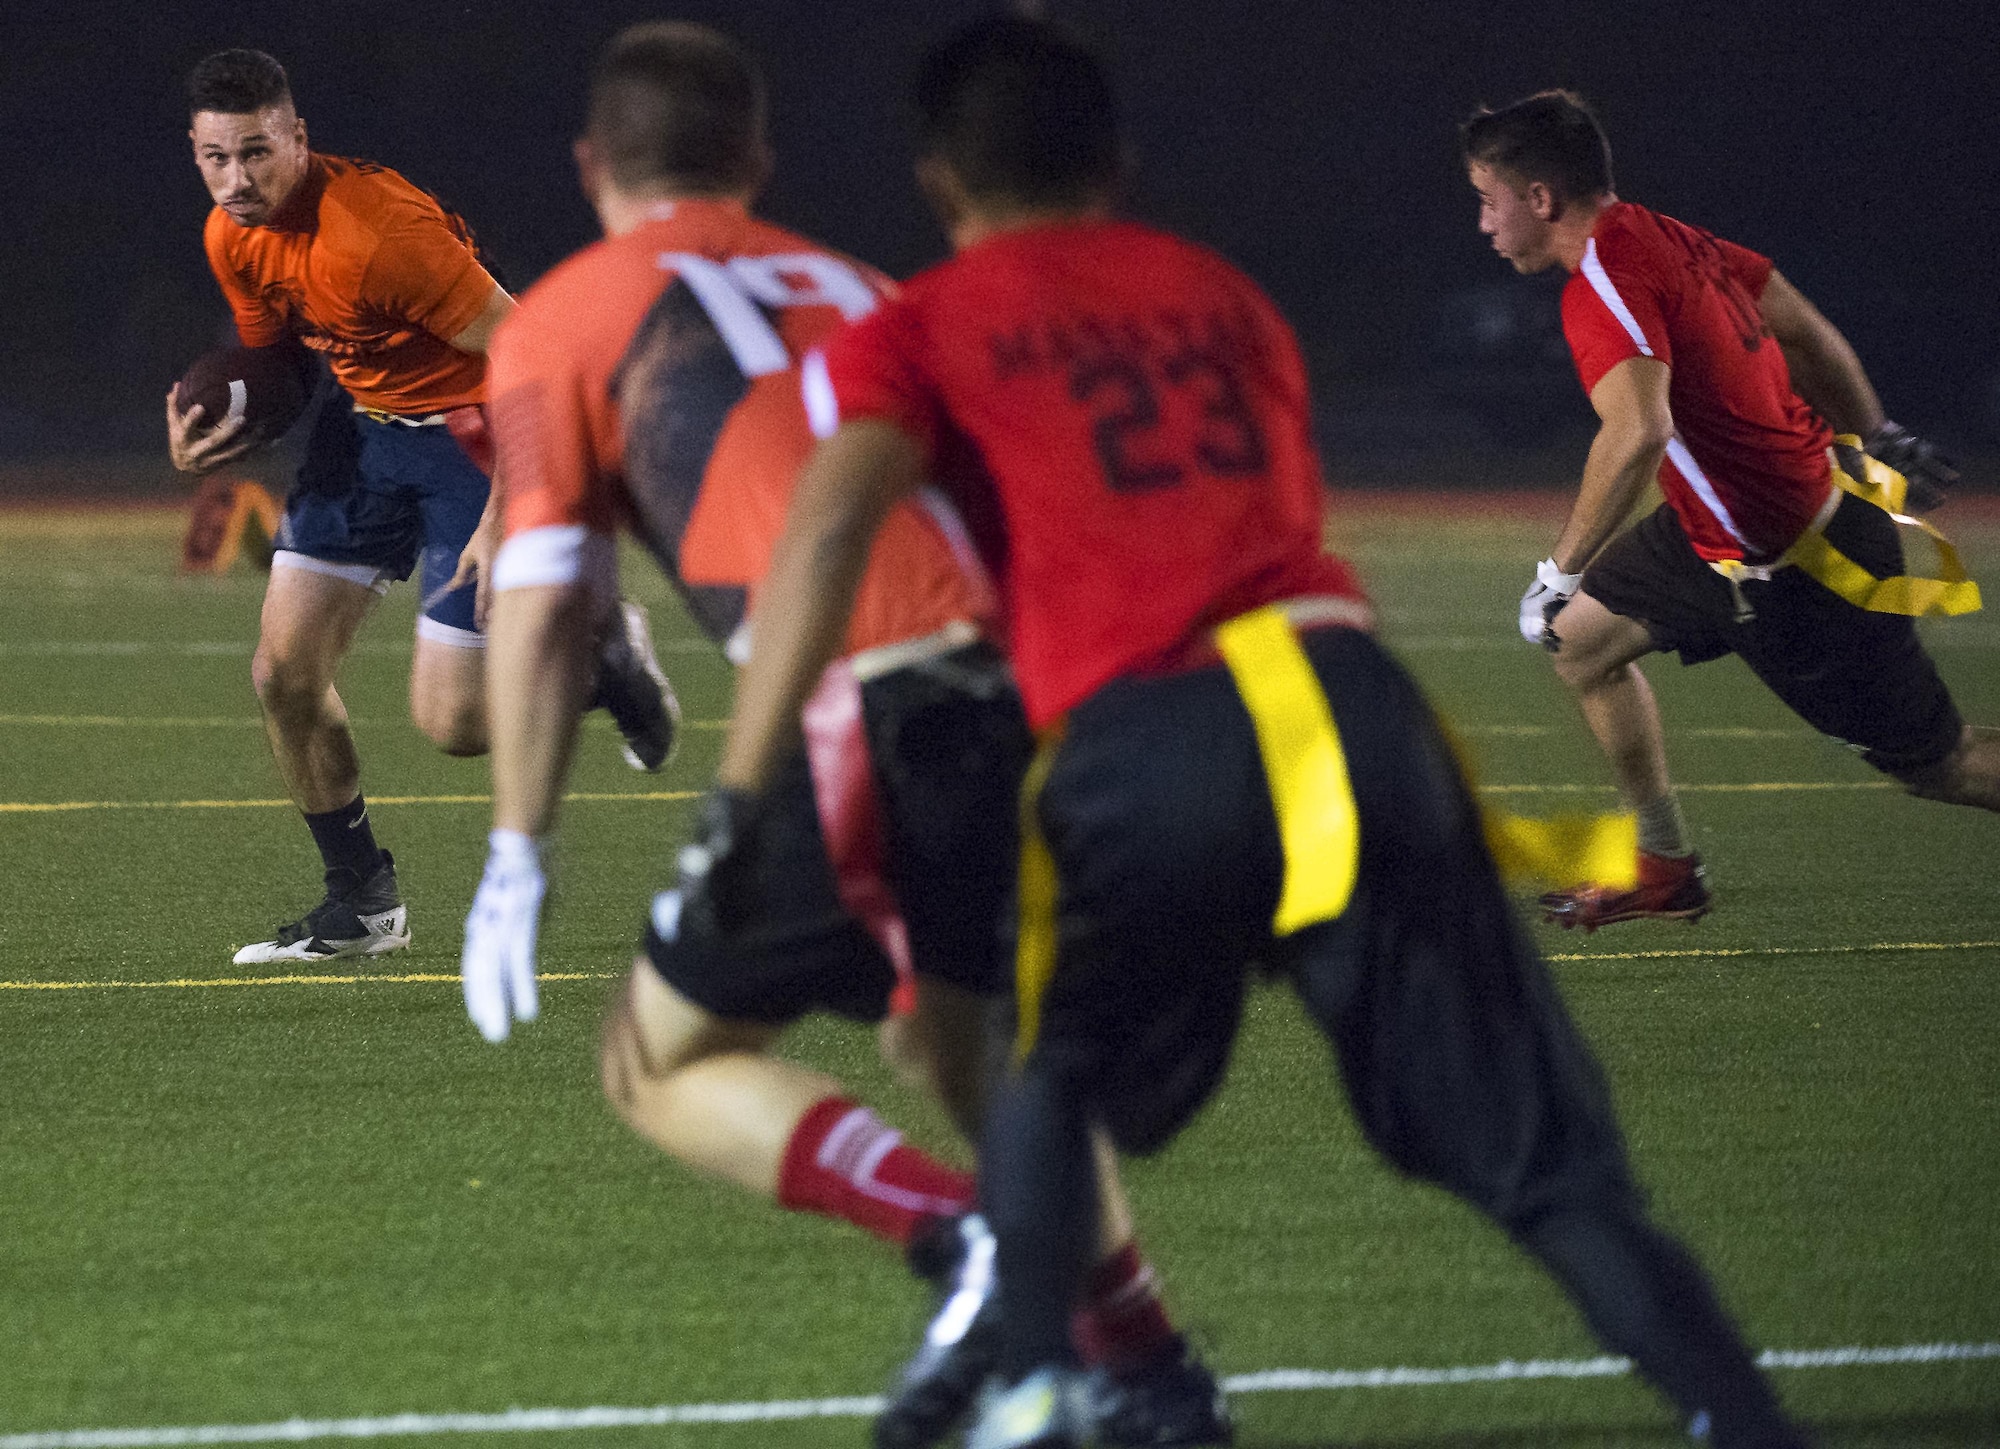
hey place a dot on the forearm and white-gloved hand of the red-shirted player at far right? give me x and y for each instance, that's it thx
(1635, 425)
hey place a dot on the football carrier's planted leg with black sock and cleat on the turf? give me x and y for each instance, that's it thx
(309, 625)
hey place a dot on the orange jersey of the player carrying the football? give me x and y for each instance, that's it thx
(369, 271)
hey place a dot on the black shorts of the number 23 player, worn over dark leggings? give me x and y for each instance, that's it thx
(1455, 1048)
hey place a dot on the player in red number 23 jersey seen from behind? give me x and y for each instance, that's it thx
(1233, 772)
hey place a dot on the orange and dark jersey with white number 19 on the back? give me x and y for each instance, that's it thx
(663, 381)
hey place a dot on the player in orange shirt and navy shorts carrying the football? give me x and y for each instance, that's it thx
(377, 277)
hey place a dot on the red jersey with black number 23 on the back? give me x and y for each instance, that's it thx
(1143, 429)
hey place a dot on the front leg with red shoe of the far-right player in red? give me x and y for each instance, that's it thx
(1597, 657)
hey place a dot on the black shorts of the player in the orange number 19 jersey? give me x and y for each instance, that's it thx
(949, 746)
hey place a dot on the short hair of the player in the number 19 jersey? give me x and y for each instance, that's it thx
(677, 103)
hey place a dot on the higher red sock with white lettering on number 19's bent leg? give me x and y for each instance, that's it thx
(849, 1164)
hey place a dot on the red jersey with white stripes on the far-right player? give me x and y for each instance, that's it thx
(1747, 471)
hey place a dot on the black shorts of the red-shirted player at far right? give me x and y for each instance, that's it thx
(1849, 673)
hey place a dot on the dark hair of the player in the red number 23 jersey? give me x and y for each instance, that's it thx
(1021, 111)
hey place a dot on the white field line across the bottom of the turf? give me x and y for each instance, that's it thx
(867, 1406)
